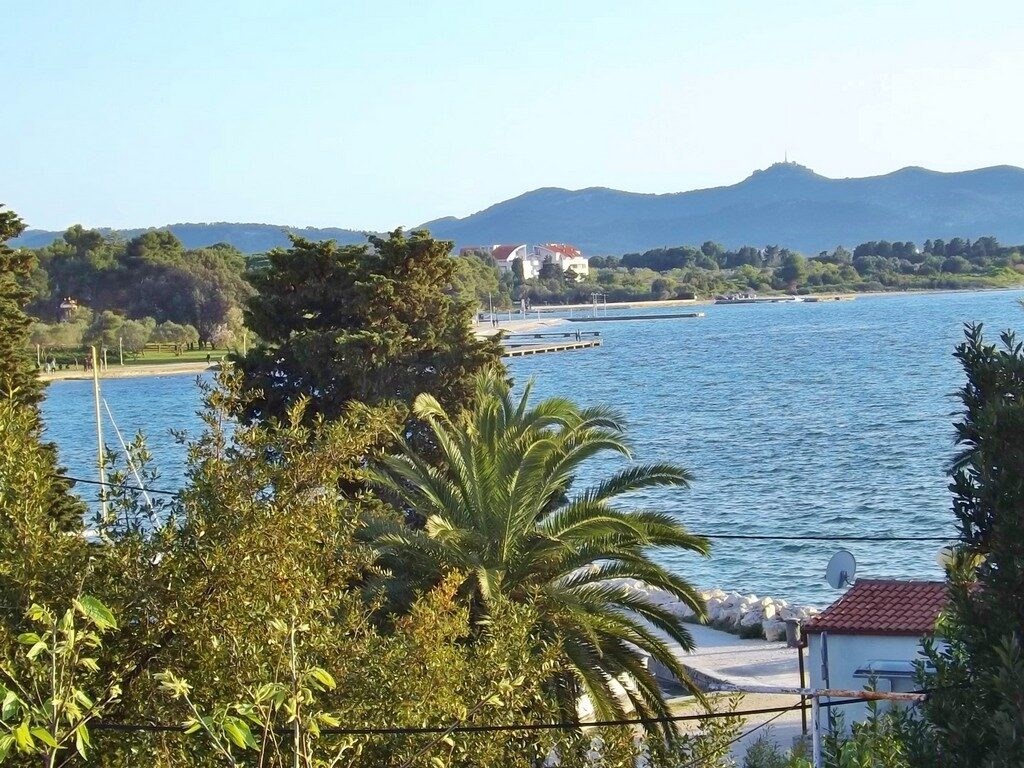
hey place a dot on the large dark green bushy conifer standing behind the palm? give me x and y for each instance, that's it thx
(360, 324)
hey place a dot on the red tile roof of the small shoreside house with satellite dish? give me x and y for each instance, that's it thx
(883, 607)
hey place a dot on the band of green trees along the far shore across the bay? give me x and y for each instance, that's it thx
(135, 295)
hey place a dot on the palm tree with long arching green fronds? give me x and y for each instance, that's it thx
(498, 509)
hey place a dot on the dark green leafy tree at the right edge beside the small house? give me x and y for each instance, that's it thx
(978, 705)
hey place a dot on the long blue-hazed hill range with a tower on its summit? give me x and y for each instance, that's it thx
(786, 204)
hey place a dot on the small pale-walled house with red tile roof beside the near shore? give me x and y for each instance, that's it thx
(873, 634)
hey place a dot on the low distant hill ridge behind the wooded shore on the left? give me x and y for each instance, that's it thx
(247, 238)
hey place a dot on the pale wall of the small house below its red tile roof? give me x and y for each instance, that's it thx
(849, 653)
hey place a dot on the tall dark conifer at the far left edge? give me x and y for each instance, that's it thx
(19, 379)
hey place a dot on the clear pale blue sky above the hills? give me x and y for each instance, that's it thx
(371, 115)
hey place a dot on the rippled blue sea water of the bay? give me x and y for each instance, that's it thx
(822, 419)
